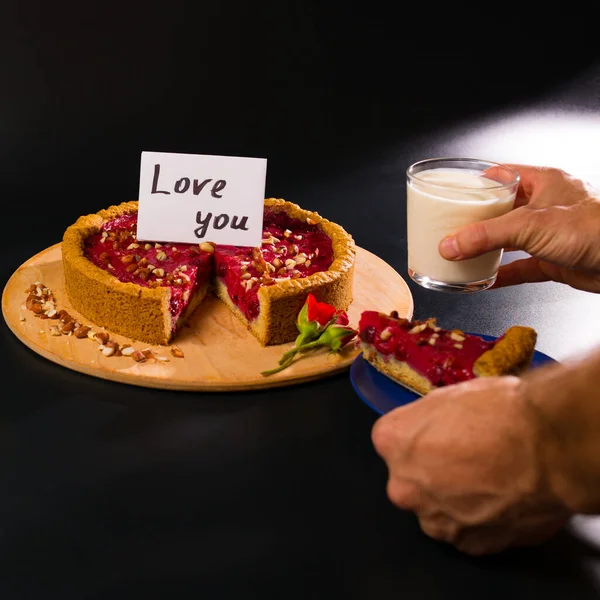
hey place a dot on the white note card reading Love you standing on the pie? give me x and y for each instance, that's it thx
(195, 198)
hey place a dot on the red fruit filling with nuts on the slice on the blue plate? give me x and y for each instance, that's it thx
(443, 357)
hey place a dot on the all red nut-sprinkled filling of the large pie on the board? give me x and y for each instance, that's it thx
(290, 249)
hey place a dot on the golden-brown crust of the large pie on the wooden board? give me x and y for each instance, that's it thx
(143, 313)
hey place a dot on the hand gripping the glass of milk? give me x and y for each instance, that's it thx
(556, 220)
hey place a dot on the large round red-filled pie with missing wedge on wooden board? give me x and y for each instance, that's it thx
(148, 290)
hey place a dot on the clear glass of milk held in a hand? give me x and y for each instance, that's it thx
(442, 195)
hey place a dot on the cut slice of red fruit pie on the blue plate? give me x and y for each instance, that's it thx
(422, 356)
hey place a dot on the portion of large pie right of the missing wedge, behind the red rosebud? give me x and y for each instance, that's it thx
(301, 253)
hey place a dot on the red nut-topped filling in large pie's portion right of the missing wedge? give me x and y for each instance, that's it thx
(290, 249)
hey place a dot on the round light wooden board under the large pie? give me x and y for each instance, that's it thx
(220, 353)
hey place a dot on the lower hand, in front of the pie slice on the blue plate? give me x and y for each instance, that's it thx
(466, 460)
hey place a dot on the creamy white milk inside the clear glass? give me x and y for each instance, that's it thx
(433, 212)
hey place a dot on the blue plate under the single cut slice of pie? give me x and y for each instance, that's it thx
(382, 394)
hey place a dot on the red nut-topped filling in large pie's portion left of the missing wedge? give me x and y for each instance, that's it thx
(182, 267)
